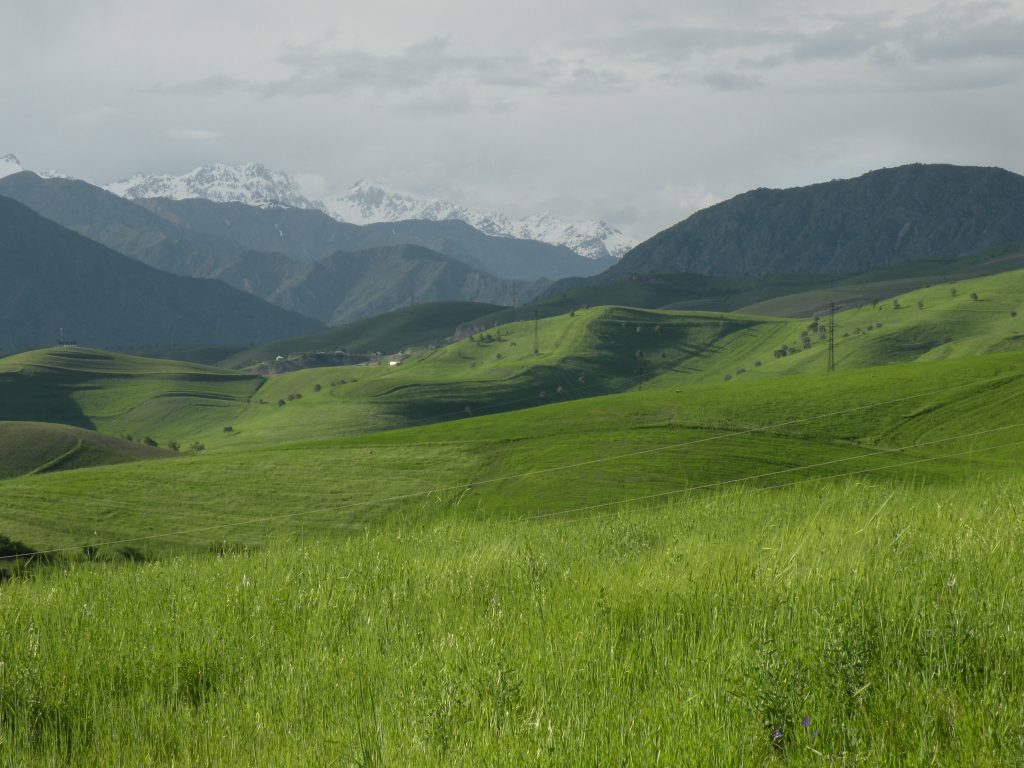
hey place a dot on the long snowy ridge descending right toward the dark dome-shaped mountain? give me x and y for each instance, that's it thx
(368, 203)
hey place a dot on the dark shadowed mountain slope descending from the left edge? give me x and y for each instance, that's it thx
(52, 278)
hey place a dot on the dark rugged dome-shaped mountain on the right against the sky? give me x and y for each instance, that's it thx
(885, 218)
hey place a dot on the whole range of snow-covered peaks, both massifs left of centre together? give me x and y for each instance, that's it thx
(368, 203)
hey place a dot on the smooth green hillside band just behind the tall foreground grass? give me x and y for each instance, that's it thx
(898, 421)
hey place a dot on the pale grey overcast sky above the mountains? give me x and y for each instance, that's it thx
(636, 113)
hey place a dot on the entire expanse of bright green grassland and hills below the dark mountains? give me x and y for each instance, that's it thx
(612, 536)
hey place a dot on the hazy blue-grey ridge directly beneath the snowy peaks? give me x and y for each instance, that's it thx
(309, 236)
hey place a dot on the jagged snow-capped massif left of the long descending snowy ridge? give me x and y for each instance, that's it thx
(251, 184)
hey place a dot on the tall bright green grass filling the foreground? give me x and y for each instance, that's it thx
(861, 623)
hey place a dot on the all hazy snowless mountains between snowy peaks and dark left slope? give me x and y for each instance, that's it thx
(300, 260)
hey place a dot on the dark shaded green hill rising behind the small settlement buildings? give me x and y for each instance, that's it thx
(415, 326)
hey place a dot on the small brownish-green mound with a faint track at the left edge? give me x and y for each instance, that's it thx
(29, 448)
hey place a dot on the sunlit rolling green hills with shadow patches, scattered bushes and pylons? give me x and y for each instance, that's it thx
(586, 354)
